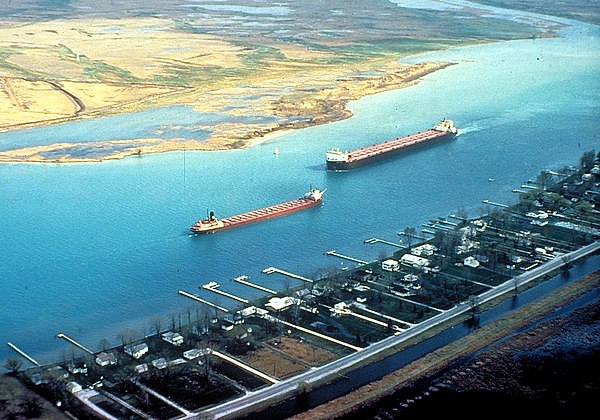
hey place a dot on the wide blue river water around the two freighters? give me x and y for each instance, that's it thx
(91, 249)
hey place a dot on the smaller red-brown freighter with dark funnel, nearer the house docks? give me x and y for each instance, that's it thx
(211, 224)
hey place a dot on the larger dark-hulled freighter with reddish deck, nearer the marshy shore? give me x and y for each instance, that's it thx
(338, 160)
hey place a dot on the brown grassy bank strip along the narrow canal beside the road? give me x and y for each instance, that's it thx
(443, 357)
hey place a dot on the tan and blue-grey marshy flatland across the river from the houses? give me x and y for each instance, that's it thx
(261, 73)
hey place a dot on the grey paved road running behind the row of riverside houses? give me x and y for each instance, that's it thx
(288, 387)
